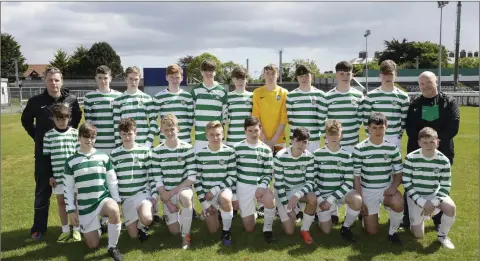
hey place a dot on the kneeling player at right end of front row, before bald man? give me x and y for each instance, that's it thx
(427, 181)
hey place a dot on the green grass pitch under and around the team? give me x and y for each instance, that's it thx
(17, 216)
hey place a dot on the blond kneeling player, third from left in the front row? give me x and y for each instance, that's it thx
(174, 171)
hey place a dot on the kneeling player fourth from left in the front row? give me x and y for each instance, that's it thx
(216, 178)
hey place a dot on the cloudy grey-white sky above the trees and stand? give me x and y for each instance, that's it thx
(156, 34)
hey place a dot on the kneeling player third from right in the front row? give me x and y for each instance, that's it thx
(334, 178)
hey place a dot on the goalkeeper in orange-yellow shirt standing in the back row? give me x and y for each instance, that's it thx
(269, 106)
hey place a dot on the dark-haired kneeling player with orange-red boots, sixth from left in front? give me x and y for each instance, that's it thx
(294, 182)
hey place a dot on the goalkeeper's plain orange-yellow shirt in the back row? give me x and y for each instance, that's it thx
(270, 108)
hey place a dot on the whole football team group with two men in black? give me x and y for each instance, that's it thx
(131, 160)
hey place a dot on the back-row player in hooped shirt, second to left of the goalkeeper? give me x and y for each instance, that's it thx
(210, 103)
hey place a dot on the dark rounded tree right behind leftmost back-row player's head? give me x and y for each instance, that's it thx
(102, 53)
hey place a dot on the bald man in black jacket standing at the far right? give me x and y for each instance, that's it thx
(435, 110)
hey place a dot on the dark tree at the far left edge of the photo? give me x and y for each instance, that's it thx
(9, 53)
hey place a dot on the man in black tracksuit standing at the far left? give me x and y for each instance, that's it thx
(38, 108)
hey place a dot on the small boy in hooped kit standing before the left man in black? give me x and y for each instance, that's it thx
(60, 143)
